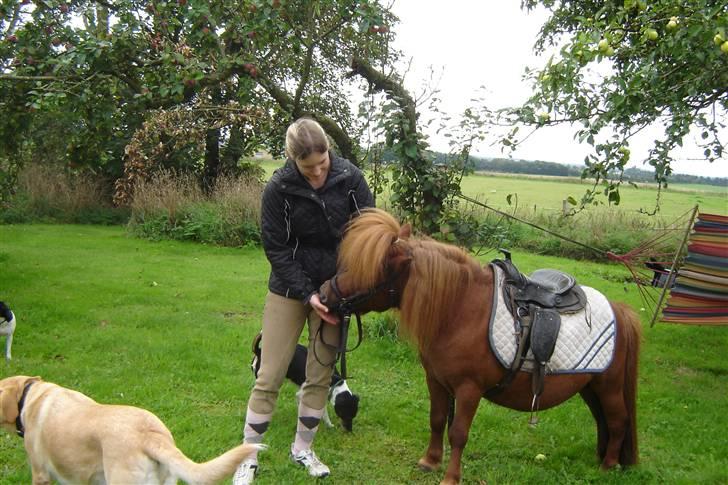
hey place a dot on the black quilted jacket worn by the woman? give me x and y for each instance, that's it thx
(302, 227)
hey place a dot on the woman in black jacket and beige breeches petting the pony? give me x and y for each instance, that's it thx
(306, 205)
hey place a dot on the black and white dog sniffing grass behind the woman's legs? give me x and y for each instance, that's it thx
(345, 402)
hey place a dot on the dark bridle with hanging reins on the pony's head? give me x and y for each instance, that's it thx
(345, 307)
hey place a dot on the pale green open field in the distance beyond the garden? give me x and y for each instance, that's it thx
(547, 193)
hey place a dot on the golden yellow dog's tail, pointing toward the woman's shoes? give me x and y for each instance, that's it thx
(165, 452)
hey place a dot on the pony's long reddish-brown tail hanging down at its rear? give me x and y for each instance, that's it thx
(629, 453)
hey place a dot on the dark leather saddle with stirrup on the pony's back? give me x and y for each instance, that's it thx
(536, 302)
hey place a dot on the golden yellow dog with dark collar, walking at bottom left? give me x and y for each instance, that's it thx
(73, 439)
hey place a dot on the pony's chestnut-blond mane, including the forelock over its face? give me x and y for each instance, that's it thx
(440, 274)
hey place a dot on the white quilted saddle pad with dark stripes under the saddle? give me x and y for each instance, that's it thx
(585, 342)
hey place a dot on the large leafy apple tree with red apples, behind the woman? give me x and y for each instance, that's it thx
(85, 75)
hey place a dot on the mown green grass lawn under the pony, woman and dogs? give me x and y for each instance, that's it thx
(167, 326)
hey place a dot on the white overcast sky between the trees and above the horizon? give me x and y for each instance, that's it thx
(472, 43)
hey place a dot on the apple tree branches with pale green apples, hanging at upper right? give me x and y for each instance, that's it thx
(623, 66)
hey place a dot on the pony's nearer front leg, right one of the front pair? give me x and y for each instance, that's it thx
(467, 398)
